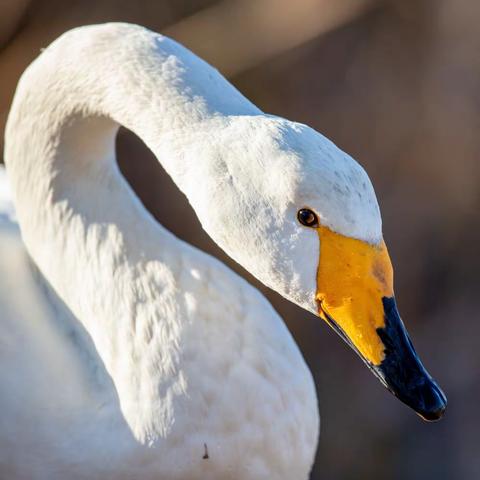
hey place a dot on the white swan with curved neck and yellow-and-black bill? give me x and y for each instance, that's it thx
(127, 353)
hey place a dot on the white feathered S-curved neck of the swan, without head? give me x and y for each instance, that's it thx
(102, 252)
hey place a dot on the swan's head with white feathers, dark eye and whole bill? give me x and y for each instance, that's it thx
(302, 216)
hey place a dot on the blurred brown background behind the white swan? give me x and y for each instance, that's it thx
(396, 83)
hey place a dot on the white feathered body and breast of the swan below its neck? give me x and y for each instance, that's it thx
(61, 412)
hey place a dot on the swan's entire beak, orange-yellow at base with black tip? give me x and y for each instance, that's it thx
(355, 297)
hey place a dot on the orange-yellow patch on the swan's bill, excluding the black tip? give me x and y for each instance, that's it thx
(352, 278)
